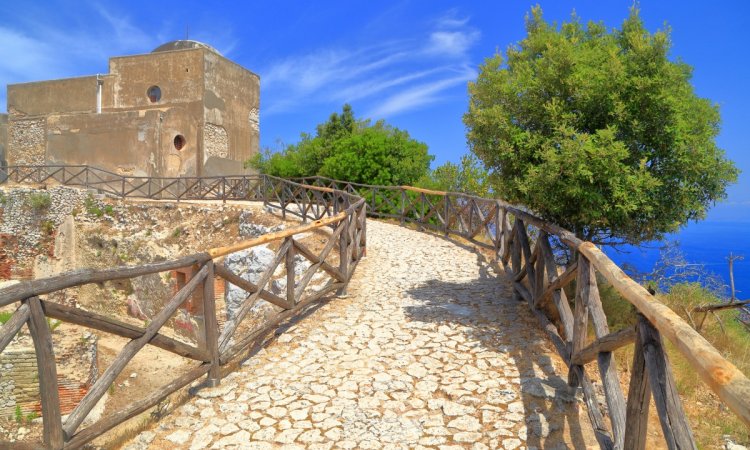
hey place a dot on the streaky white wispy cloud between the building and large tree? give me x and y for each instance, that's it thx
(389, 78)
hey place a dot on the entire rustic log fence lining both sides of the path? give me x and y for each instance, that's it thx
(526, 245)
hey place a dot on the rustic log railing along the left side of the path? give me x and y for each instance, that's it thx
(341, 212)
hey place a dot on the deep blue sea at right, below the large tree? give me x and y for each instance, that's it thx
(707, 243)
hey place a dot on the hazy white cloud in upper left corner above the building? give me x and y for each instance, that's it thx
(36, 46)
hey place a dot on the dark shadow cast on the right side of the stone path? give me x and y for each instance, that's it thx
(492, 320)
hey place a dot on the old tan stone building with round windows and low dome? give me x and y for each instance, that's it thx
(181, 110)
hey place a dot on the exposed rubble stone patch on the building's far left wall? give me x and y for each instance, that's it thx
(27, 141)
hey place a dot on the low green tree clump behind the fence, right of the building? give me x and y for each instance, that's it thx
(354, 150)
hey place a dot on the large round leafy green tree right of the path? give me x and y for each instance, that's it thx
(598, 130)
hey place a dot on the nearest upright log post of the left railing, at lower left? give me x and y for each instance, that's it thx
(47, 369)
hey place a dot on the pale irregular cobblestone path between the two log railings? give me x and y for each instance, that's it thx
(427, 351)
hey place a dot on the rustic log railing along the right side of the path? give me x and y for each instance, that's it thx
(530, 248)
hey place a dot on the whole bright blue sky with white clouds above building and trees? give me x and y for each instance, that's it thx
(407, 62)
